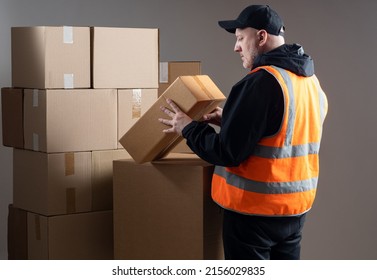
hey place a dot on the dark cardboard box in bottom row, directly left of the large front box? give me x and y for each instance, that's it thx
(85, 236)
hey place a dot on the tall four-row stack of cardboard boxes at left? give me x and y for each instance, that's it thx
(61, 117)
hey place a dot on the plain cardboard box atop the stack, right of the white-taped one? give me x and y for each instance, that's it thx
(125, 57)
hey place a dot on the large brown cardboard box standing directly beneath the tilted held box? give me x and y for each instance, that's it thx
(163, 210)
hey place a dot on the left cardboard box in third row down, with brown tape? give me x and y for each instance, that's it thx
(52, 184)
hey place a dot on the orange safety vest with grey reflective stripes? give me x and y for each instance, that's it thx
(280, 177)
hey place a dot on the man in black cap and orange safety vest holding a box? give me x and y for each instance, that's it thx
(266, 153)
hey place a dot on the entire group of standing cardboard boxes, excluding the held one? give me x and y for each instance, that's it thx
(75, 93)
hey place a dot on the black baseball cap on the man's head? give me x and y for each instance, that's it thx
(258, 17)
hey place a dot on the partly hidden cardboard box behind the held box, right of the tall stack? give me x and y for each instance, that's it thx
(171, 70)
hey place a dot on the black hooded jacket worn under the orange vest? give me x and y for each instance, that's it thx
(253, 109)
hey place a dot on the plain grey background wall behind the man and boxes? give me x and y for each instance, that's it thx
(339, 35)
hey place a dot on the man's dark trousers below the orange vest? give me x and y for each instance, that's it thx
(248, 237)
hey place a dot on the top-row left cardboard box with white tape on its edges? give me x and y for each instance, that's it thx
(50, 57)
